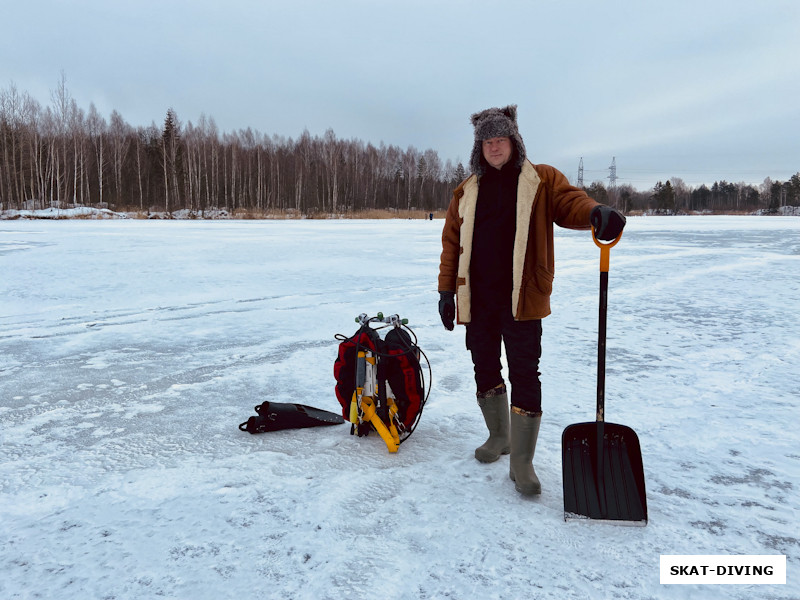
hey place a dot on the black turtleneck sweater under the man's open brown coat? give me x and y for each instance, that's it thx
(493, 239)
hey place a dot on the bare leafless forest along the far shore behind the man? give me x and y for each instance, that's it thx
(61, 156)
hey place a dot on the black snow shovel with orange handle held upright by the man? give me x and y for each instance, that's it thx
(602, 462)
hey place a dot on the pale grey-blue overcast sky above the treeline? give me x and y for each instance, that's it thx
(703, 90)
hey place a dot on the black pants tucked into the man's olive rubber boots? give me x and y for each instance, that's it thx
(523, 343)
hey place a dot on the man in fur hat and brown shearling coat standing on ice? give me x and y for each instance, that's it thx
(497, 268)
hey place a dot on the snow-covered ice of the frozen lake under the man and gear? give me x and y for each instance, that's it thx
(131, 350)
